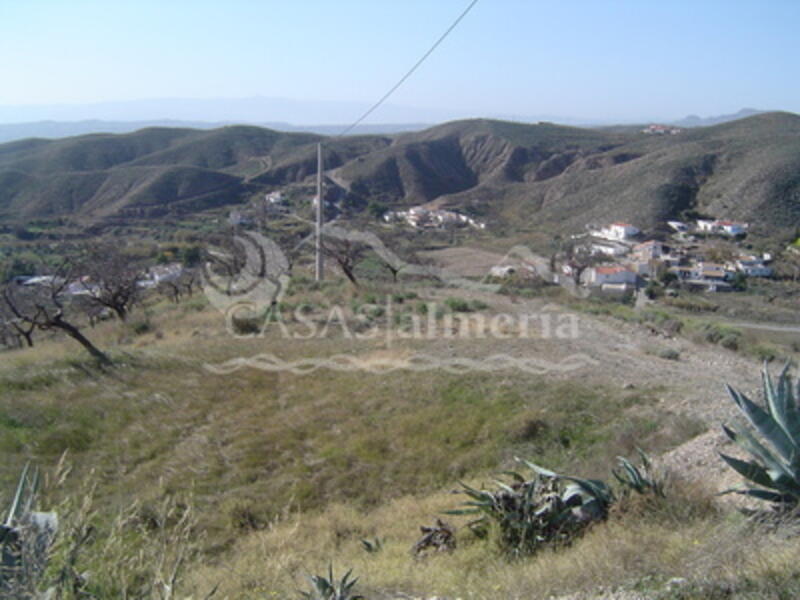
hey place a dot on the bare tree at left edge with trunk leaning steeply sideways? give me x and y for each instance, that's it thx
(42, 306)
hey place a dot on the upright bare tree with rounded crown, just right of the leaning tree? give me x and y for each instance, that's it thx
(111, 279)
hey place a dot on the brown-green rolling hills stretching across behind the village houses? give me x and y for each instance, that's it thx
(511, 175)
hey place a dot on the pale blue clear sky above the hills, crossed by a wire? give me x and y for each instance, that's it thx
(593, 60)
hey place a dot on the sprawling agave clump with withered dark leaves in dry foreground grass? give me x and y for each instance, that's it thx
(547, 509)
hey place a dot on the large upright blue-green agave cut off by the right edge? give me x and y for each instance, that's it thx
(773, 474)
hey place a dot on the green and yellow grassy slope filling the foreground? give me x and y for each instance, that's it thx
(286, 473)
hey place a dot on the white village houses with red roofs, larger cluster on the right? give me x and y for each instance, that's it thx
(632, 259)
